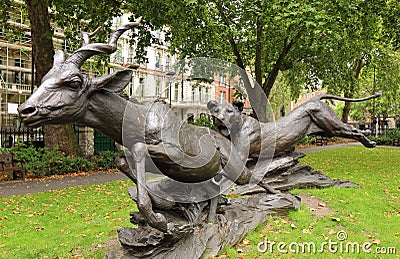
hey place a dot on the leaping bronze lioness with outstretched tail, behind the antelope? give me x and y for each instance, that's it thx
(313, 117)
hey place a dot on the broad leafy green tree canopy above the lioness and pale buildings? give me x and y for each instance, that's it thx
(308, 41)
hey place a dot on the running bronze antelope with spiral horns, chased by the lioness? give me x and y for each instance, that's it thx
(66, 95)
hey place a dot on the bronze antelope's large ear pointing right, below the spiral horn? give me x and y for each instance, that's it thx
(115, 82)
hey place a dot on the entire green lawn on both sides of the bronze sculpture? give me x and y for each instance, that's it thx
(77, 222)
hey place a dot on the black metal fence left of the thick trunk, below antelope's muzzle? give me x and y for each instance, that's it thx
(11, 136)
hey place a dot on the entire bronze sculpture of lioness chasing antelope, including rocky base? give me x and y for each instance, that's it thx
(183, 152)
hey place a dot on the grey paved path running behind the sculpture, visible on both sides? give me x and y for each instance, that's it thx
(10, 188)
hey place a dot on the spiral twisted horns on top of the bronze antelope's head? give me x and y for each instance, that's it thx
(88, 50)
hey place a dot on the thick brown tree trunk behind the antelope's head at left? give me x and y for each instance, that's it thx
(43, 52)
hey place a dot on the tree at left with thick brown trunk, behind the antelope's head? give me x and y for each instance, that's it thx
(73, 16)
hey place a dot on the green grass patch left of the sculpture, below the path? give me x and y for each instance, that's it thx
(68, 223)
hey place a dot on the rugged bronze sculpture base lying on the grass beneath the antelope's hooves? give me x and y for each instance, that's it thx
(234, 220)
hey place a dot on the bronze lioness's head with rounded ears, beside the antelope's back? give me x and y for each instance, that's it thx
(227, 117)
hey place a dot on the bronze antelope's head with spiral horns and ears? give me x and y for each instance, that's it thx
(63, 95)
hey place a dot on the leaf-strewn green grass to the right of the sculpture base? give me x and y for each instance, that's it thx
(370, 213)
